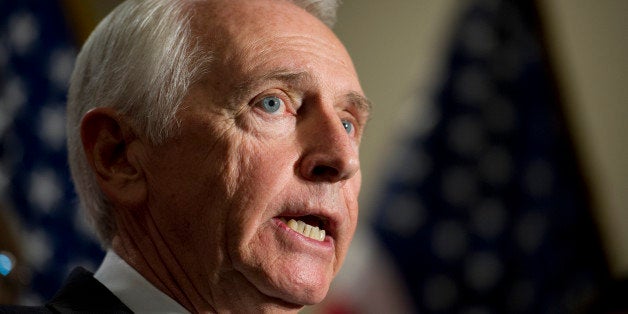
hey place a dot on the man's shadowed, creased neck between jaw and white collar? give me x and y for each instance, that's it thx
(222, 290)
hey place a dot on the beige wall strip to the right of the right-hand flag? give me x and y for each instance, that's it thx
(590, 45)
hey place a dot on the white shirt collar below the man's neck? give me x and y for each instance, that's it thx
(132, 289)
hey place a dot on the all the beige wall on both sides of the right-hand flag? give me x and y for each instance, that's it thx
(395, 45)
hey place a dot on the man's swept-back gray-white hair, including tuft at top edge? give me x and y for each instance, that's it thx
(140, 60)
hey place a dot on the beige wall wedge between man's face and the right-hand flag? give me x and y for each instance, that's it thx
(395, 46)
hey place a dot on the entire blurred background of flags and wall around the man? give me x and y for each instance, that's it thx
(495, 166)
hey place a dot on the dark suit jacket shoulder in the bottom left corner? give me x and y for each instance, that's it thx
(81, 293)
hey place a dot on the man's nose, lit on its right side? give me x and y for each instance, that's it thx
(329, 153)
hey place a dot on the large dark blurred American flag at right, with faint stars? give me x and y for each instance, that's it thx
(486, 211)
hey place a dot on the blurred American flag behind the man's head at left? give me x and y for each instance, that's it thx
(37, 53)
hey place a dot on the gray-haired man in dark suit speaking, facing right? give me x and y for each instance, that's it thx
(215, 145)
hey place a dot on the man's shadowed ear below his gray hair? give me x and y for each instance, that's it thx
(113, 151)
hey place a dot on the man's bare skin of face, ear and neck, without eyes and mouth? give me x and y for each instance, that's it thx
(198, 215)
